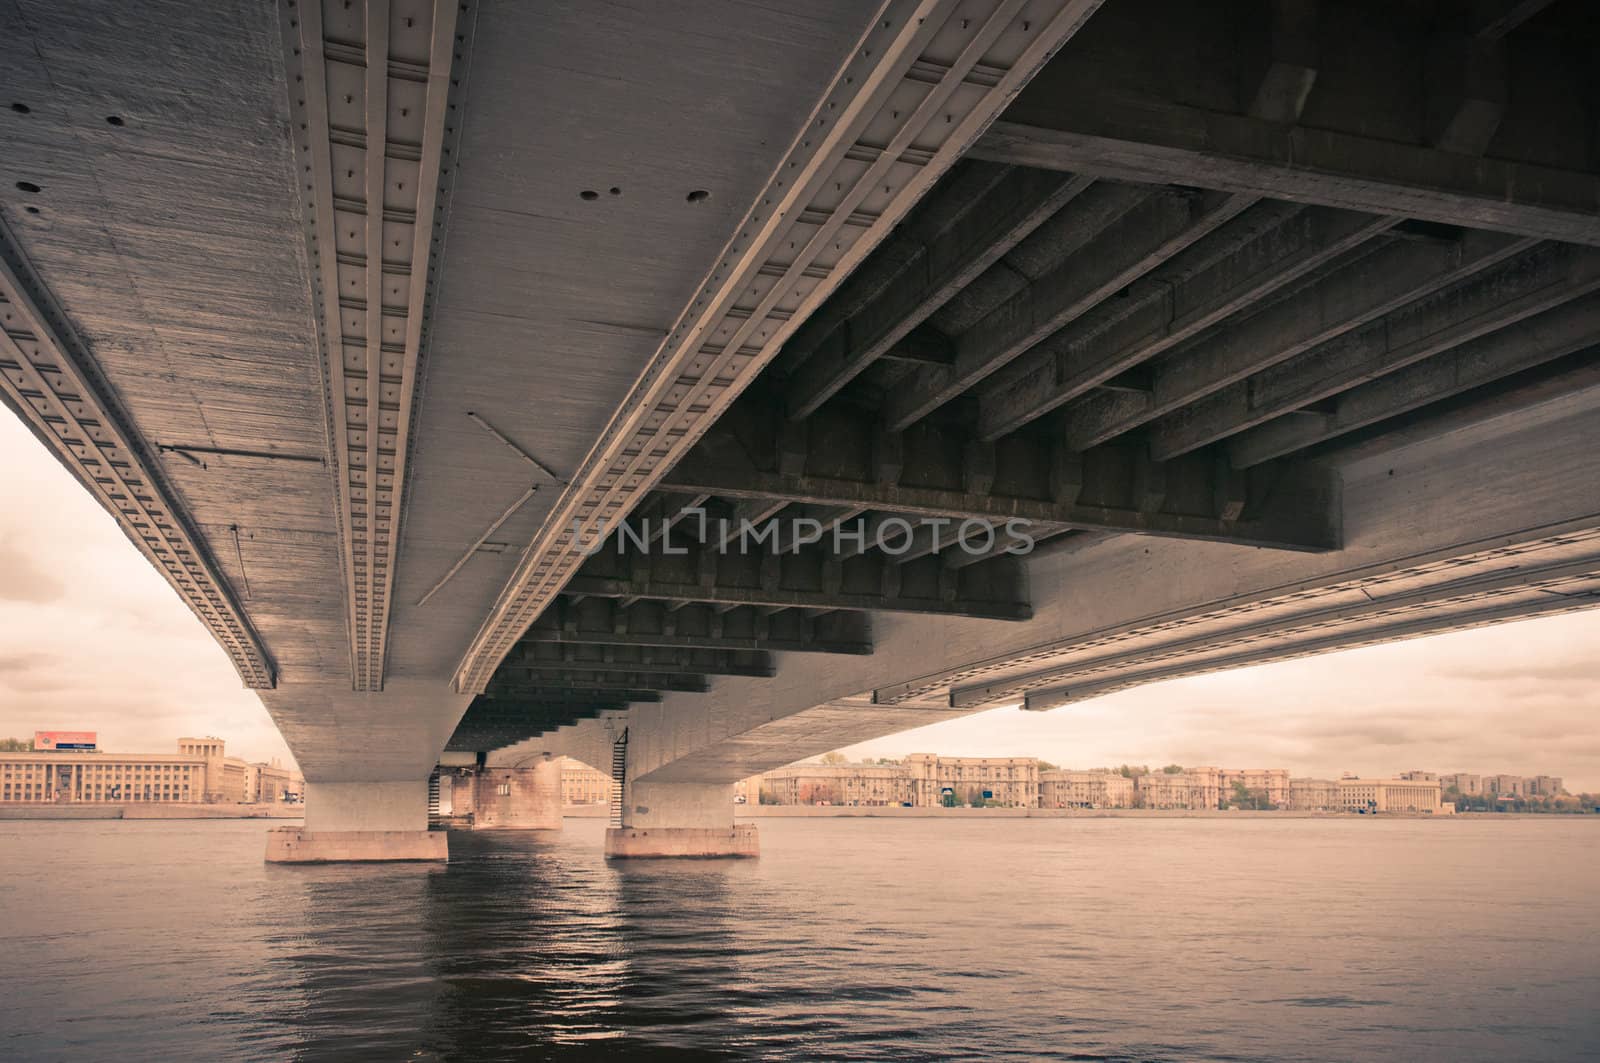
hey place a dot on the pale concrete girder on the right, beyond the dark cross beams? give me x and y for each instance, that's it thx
(1433, 544)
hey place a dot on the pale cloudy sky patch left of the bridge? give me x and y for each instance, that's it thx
(92, 638)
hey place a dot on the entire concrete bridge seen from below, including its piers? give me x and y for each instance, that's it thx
(695, 388)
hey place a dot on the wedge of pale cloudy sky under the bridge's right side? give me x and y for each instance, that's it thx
(1508, 699)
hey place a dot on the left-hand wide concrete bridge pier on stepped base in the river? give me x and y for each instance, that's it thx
(358, 822)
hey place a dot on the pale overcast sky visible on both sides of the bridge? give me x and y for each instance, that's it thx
(94, 640)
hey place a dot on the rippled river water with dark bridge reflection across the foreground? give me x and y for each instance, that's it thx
(1252, 939)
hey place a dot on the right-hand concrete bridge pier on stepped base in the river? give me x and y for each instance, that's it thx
(681, 820)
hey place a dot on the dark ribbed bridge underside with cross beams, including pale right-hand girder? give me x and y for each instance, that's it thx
(1254, 401)
